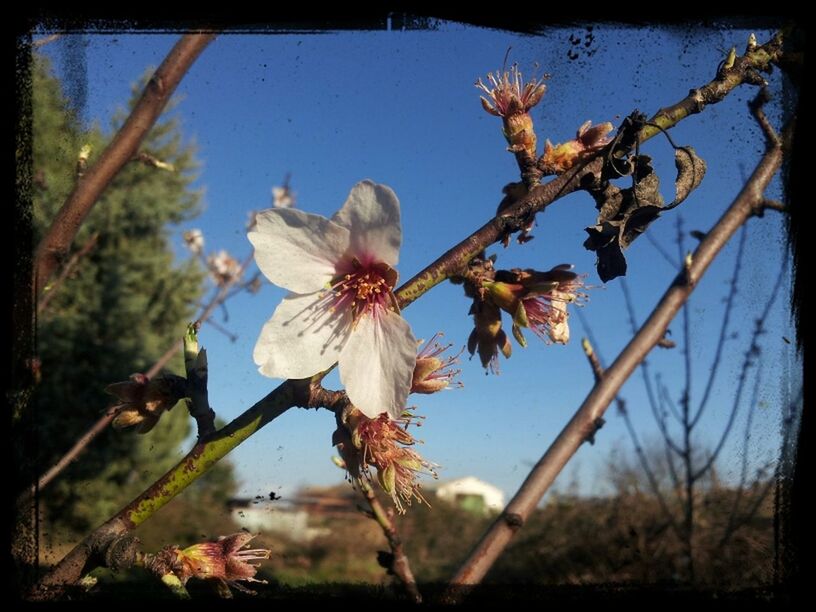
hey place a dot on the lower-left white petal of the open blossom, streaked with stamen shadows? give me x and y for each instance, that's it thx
(303, 337)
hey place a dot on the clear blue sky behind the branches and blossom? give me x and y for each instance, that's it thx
(400, 108)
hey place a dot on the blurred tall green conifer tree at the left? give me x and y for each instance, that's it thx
(122, 306)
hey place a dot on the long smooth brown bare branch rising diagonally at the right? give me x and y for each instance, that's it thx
(575, 433)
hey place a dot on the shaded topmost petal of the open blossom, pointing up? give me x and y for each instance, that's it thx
(372, 215)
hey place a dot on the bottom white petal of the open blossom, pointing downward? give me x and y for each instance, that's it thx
(377, 364)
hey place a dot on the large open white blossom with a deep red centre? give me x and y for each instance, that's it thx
(341, 307)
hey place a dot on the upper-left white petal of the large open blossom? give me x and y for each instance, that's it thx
(297, 250)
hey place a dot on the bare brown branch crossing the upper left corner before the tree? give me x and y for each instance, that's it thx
(54, 246)
